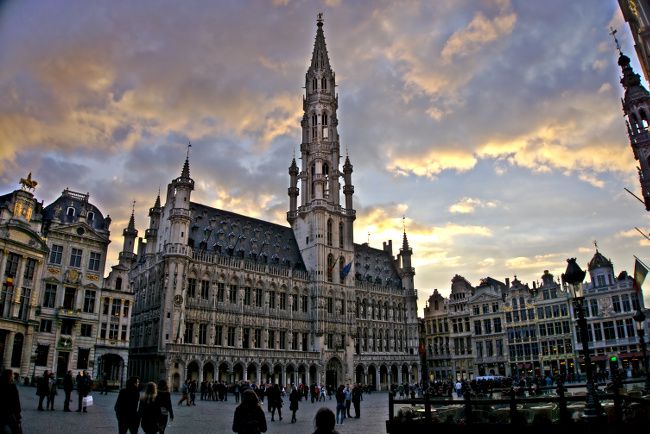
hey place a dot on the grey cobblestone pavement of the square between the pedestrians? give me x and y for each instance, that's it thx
(205, 417)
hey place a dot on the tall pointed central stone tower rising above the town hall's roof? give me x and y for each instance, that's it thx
(322, 227)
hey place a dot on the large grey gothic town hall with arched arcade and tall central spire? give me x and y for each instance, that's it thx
(224, 296)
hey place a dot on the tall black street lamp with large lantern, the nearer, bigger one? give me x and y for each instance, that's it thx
(573, 277)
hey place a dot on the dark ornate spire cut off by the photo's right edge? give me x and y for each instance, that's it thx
(636, 106)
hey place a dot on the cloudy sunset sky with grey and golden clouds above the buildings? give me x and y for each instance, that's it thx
(494, 126)
